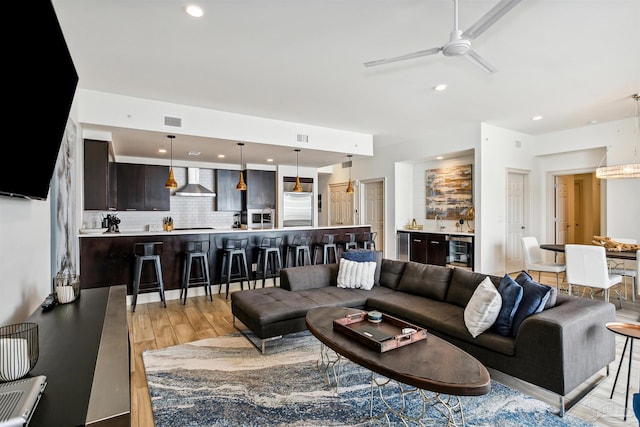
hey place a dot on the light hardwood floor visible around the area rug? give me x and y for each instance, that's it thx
(152, 327)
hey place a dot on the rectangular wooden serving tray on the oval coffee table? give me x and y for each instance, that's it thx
(383, 336)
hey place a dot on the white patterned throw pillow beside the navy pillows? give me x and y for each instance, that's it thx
(483, 308)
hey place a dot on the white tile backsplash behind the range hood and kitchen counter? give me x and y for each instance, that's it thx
(185, 211)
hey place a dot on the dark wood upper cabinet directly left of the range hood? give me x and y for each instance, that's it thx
(141, 187)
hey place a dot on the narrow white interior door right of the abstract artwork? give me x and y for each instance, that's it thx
(516, 220)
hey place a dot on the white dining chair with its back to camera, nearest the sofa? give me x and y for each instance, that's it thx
(587, 266)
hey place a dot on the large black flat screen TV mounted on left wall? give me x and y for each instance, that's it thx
(40, 82)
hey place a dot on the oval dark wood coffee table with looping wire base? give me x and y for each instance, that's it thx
(431, 365)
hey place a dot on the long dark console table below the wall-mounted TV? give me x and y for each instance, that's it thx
(84, 353)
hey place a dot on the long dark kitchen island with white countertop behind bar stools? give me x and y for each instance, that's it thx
(106, 259)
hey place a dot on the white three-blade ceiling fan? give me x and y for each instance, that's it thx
(459, 43)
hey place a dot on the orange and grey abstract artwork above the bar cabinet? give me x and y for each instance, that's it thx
(449, 192)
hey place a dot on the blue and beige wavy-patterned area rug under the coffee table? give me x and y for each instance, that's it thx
(226, 381)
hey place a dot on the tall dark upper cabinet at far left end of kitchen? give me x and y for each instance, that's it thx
(99, 176)
